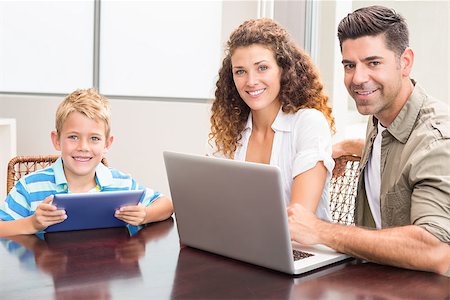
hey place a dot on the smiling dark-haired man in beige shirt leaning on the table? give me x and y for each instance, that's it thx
(403, 203)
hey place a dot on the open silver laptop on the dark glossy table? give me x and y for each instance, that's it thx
(236, 209)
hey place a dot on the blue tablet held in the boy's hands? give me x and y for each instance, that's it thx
(93, 210)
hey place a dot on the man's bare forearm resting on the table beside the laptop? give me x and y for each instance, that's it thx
(408, 247)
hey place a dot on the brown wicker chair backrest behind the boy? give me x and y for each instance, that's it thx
(20, 166)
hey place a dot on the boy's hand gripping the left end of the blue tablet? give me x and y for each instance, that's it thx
(47, 214)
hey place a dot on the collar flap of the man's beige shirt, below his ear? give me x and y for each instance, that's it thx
(403, 124)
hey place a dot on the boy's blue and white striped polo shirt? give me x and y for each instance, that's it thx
(30, 190)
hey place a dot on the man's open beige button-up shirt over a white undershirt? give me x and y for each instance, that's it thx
(415, 168)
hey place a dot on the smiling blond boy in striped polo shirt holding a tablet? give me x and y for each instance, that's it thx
(82, 136)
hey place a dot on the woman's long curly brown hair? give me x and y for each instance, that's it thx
(300, 85)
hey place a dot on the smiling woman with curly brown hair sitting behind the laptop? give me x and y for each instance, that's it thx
(270, 108)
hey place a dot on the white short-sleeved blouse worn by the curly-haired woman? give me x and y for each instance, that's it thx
(301, 140)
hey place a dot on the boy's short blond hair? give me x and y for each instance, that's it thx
(87, 102)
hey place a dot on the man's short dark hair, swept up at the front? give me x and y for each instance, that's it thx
(375, 20)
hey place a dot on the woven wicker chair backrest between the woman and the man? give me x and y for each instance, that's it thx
(343, 189)
